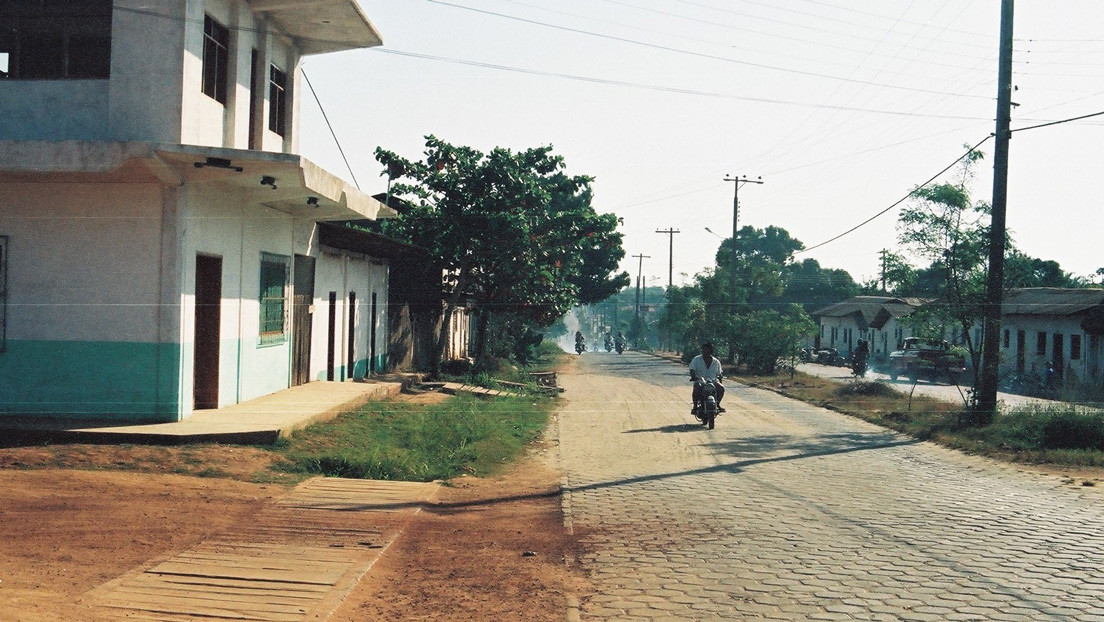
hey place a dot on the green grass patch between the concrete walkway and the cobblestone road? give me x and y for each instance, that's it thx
(394, 440)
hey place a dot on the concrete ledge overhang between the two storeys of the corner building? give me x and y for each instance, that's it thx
(283, 182)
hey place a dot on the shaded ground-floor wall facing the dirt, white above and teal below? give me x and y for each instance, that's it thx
(87, 308)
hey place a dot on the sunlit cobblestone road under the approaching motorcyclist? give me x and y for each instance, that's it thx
(787, 512)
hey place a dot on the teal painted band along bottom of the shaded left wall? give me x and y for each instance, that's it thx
(91, 381)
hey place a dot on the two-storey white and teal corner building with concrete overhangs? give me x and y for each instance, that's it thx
(160, 236)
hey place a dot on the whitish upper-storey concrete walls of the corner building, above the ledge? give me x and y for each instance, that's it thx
(155, 90)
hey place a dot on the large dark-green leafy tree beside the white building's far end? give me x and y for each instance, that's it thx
(515, 234)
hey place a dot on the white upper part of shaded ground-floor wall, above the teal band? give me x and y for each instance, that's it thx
(83, 261)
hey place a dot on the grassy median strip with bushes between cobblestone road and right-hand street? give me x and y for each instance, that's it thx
(1058, 435)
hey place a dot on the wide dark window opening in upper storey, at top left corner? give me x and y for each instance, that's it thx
(56, 39)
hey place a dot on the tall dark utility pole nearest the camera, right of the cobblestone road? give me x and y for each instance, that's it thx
(991, 352)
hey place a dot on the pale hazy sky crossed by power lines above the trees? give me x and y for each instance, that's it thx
(842, 107)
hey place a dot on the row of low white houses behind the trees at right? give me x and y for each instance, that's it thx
(1064, 328)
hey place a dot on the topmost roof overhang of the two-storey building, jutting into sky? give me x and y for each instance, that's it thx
(321, 26)
